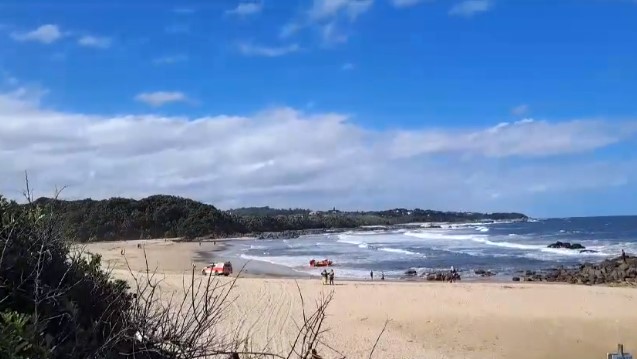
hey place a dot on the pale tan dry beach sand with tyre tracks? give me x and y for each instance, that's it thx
(427, 320)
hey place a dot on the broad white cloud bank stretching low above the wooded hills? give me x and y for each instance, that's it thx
(286, 158)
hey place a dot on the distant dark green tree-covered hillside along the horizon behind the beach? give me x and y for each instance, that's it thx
(169, 216)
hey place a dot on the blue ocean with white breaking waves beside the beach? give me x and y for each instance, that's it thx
(505, 248)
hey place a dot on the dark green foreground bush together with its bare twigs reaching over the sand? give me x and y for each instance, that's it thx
(58, 303)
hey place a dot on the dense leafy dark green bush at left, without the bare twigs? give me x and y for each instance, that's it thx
(53, 303)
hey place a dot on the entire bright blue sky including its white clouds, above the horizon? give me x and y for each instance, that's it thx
(426, 82)
